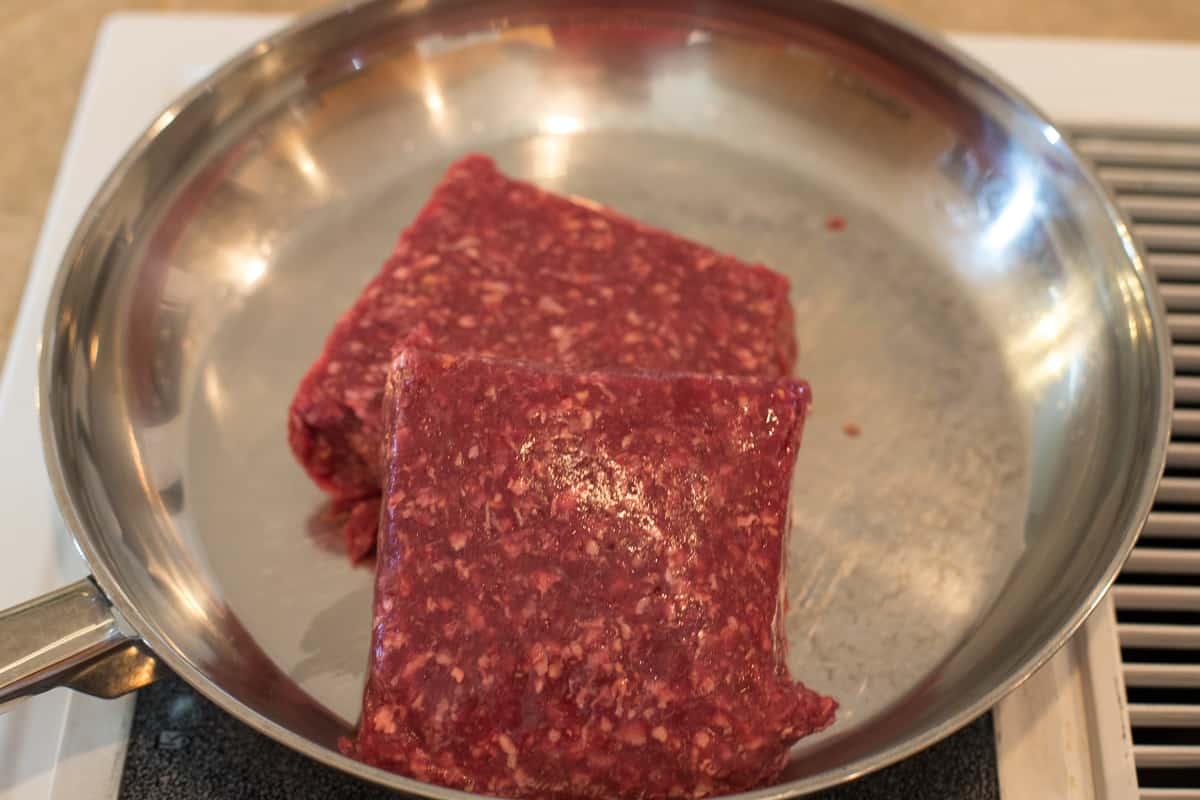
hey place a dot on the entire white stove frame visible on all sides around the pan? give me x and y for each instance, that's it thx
(64, 747)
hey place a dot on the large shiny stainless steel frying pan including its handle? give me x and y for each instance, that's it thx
(982, 317)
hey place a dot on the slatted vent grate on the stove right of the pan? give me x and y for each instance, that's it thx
(1156, 179)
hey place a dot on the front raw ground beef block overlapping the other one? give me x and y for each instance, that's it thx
(579, 582)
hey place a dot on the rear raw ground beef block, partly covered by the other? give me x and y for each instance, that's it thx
(497, 267)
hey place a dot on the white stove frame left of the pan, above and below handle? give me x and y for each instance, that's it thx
(62, 745)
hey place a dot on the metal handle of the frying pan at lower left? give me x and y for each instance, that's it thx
(71, 637)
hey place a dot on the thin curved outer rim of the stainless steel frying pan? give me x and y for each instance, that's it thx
(1142, 486)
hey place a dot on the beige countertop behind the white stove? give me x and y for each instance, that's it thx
(45, 46)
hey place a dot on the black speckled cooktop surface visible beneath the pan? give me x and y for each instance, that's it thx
(183, 748)
